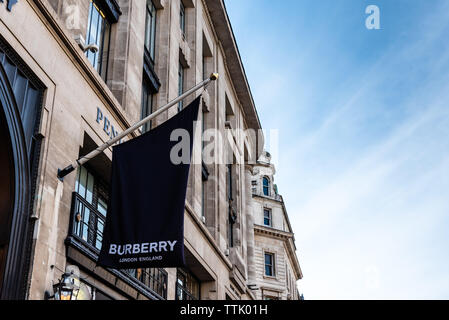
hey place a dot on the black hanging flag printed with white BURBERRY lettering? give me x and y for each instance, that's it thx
(145, 219)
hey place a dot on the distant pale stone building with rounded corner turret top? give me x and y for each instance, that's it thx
(276, 266)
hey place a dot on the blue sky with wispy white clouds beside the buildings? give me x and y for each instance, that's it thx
(363, 155)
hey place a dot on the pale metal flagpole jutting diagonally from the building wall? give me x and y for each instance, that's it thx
(77, 163)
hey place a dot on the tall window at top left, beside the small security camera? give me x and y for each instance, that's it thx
(98, 32)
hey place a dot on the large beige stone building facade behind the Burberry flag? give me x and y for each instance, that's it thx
(75, 73)
